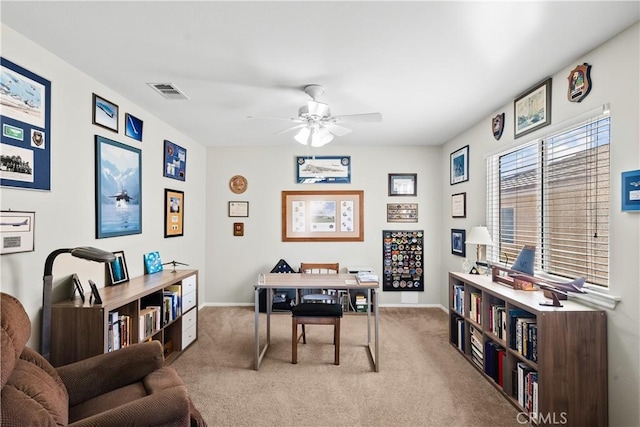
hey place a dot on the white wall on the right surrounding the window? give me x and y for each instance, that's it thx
(615, 75)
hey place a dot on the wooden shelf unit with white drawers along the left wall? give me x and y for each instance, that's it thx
(81, 330)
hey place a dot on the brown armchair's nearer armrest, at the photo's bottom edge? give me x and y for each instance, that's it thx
(169, 407)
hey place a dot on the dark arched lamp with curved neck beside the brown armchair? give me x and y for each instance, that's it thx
(84, 252)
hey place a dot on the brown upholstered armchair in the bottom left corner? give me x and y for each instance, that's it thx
(127, 387)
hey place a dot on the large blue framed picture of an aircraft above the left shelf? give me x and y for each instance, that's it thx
(118, 172)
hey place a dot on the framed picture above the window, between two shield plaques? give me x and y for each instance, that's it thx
(532, 109)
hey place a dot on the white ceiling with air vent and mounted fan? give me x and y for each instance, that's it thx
(431, 68)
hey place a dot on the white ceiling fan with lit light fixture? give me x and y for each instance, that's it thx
(317, 126)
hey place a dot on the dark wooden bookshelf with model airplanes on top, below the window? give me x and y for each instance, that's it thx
(571, 363)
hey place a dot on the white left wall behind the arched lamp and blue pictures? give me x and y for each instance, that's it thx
(65, 216)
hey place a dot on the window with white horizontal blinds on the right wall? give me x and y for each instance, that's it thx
(554, 194)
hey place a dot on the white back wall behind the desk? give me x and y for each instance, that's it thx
(234, 262)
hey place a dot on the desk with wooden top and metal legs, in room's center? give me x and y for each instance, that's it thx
(314, 281)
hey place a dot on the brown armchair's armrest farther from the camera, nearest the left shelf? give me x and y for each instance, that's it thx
(97, 375)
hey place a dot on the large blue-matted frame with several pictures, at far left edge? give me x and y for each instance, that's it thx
(25, 117)
